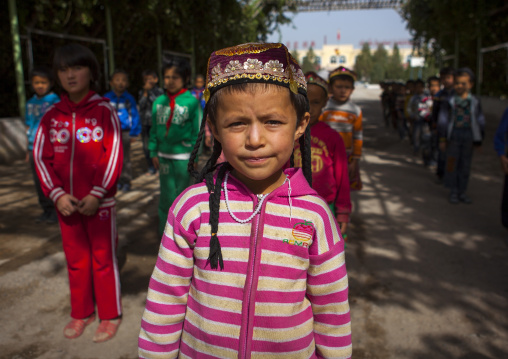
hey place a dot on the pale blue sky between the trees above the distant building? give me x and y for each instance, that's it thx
(355, 26)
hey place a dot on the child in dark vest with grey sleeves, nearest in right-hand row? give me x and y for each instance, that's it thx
(460, 128)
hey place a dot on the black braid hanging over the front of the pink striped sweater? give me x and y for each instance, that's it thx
(215, 255)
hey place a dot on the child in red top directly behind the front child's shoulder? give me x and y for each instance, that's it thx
(328, 155)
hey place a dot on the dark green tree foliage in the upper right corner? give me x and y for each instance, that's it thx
(441, 25)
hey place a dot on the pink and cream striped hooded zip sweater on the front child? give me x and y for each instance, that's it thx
(283, 291)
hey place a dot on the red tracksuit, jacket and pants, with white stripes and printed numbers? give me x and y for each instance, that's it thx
(78, 150)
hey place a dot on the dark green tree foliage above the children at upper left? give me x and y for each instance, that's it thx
(206, 25)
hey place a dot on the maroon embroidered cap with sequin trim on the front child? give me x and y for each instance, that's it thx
(254, 62)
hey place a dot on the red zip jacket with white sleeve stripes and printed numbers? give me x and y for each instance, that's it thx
(78, 149)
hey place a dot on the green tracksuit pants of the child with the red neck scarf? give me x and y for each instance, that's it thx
(174, 178)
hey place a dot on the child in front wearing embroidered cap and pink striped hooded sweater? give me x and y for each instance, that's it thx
(251, 264)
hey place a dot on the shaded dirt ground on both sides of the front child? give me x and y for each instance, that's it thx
(427, 279)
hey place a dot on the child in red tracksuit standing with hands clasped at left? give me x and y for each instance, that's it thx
(78, 156)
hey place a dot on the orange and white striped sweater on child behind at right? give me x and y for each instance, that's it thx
(345, 118)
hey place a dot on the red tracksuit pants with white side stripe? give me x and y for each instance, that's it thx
(89, 244)
